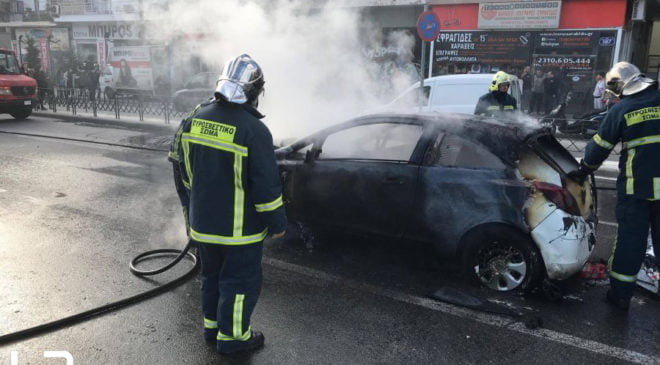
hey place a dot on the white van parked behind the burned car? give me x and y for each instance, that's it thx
(452, 93)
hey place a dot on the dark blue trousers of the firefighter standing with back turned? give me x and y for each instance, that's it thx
(231, 284)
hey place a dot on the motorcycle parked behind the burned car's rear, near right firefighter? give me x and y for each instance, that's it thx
(583, 126)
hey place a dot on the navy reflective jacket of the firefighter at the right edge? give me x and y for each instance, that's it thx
(635, 122)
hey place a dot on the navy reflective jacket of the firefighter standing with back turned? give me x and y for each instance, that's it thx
(226, 163)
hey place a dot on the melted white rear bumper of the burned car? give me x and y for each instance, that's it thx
(565, 241)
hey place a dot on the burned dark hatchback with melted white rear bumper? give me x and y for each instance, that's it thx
(492, 195)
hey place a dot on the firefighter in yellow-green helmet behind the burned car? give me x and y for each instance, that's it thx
(497, 102)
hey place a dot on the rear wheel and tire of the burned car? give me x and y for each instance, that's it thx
(503, 259)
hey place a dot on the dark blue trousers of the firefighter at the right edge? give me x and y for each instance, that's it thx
(634, 217)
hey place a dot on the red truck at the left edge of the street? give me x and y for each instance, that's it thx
(18, 92)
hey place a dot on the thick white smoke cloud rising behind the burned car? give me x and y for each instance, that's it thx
(315, 65)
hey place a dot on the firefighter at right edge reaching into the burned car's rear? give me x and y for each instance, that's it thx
(635, 122)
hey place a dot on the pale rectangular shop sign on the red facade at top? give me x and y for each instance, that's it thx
(520, 15)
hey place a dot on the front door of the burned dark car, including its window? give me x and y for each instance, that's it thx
(361, 178)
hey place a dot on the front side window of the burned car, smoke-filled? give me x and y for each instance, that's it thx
(382, 141)
